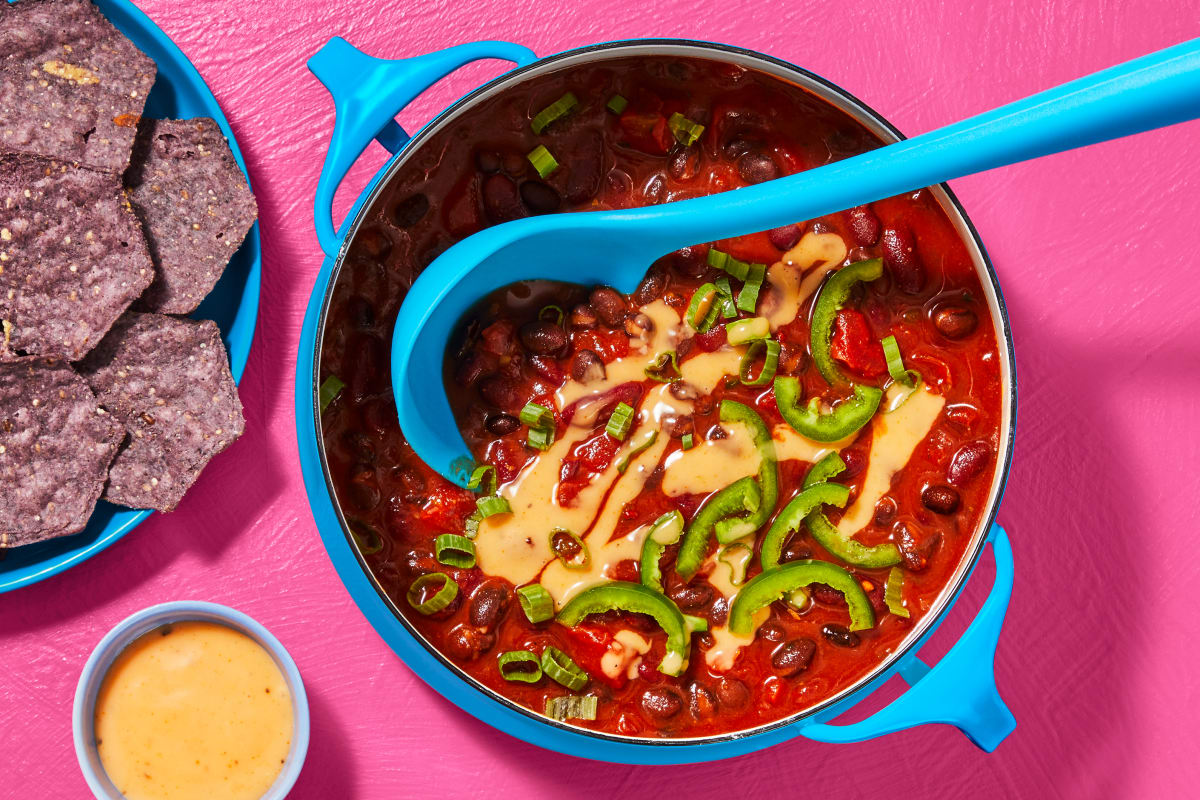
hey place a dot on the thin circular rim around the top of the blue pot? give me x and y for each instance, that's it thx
(868, 117)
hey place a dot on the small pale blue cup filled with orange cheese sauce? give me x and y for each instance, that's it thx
(190, 701)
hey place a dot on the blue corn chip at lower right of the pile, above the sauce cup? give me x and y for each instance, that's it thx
(167, 381)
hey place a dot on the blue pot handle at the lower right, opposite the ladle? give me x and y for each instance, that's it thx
(961, 690)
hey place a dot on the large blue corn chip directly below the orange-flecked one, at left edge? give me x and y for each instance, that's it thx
(73, 256)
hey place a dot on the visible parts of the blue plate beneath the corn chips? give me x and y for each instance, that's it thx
(178, 93)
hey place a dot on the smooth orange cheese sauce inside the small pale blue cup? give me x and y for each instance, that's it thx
(195, 711)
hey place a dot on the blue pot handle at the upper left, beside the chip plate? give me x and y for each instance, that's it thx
(368, 95)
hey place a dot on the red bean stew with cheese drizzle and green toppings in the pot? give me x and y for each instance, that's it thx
(707, 506)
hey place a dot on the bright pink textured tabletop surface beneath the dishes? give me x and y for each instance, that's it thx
(1094, 250)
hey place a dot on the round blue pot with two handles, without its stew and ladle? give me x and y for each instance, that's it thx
(959, 690)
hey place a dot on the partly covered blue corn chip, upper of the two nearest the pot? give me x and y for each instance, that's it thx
(195, 204)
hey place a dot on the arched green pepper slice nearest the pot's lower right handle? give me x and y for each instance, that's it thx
(782, 581)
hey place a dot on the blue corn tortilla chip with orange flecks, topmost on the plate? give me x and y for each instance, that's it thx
(73, 88)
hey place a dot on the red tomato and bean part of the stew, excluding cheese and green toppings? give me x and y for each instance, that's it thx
(476, 173)
